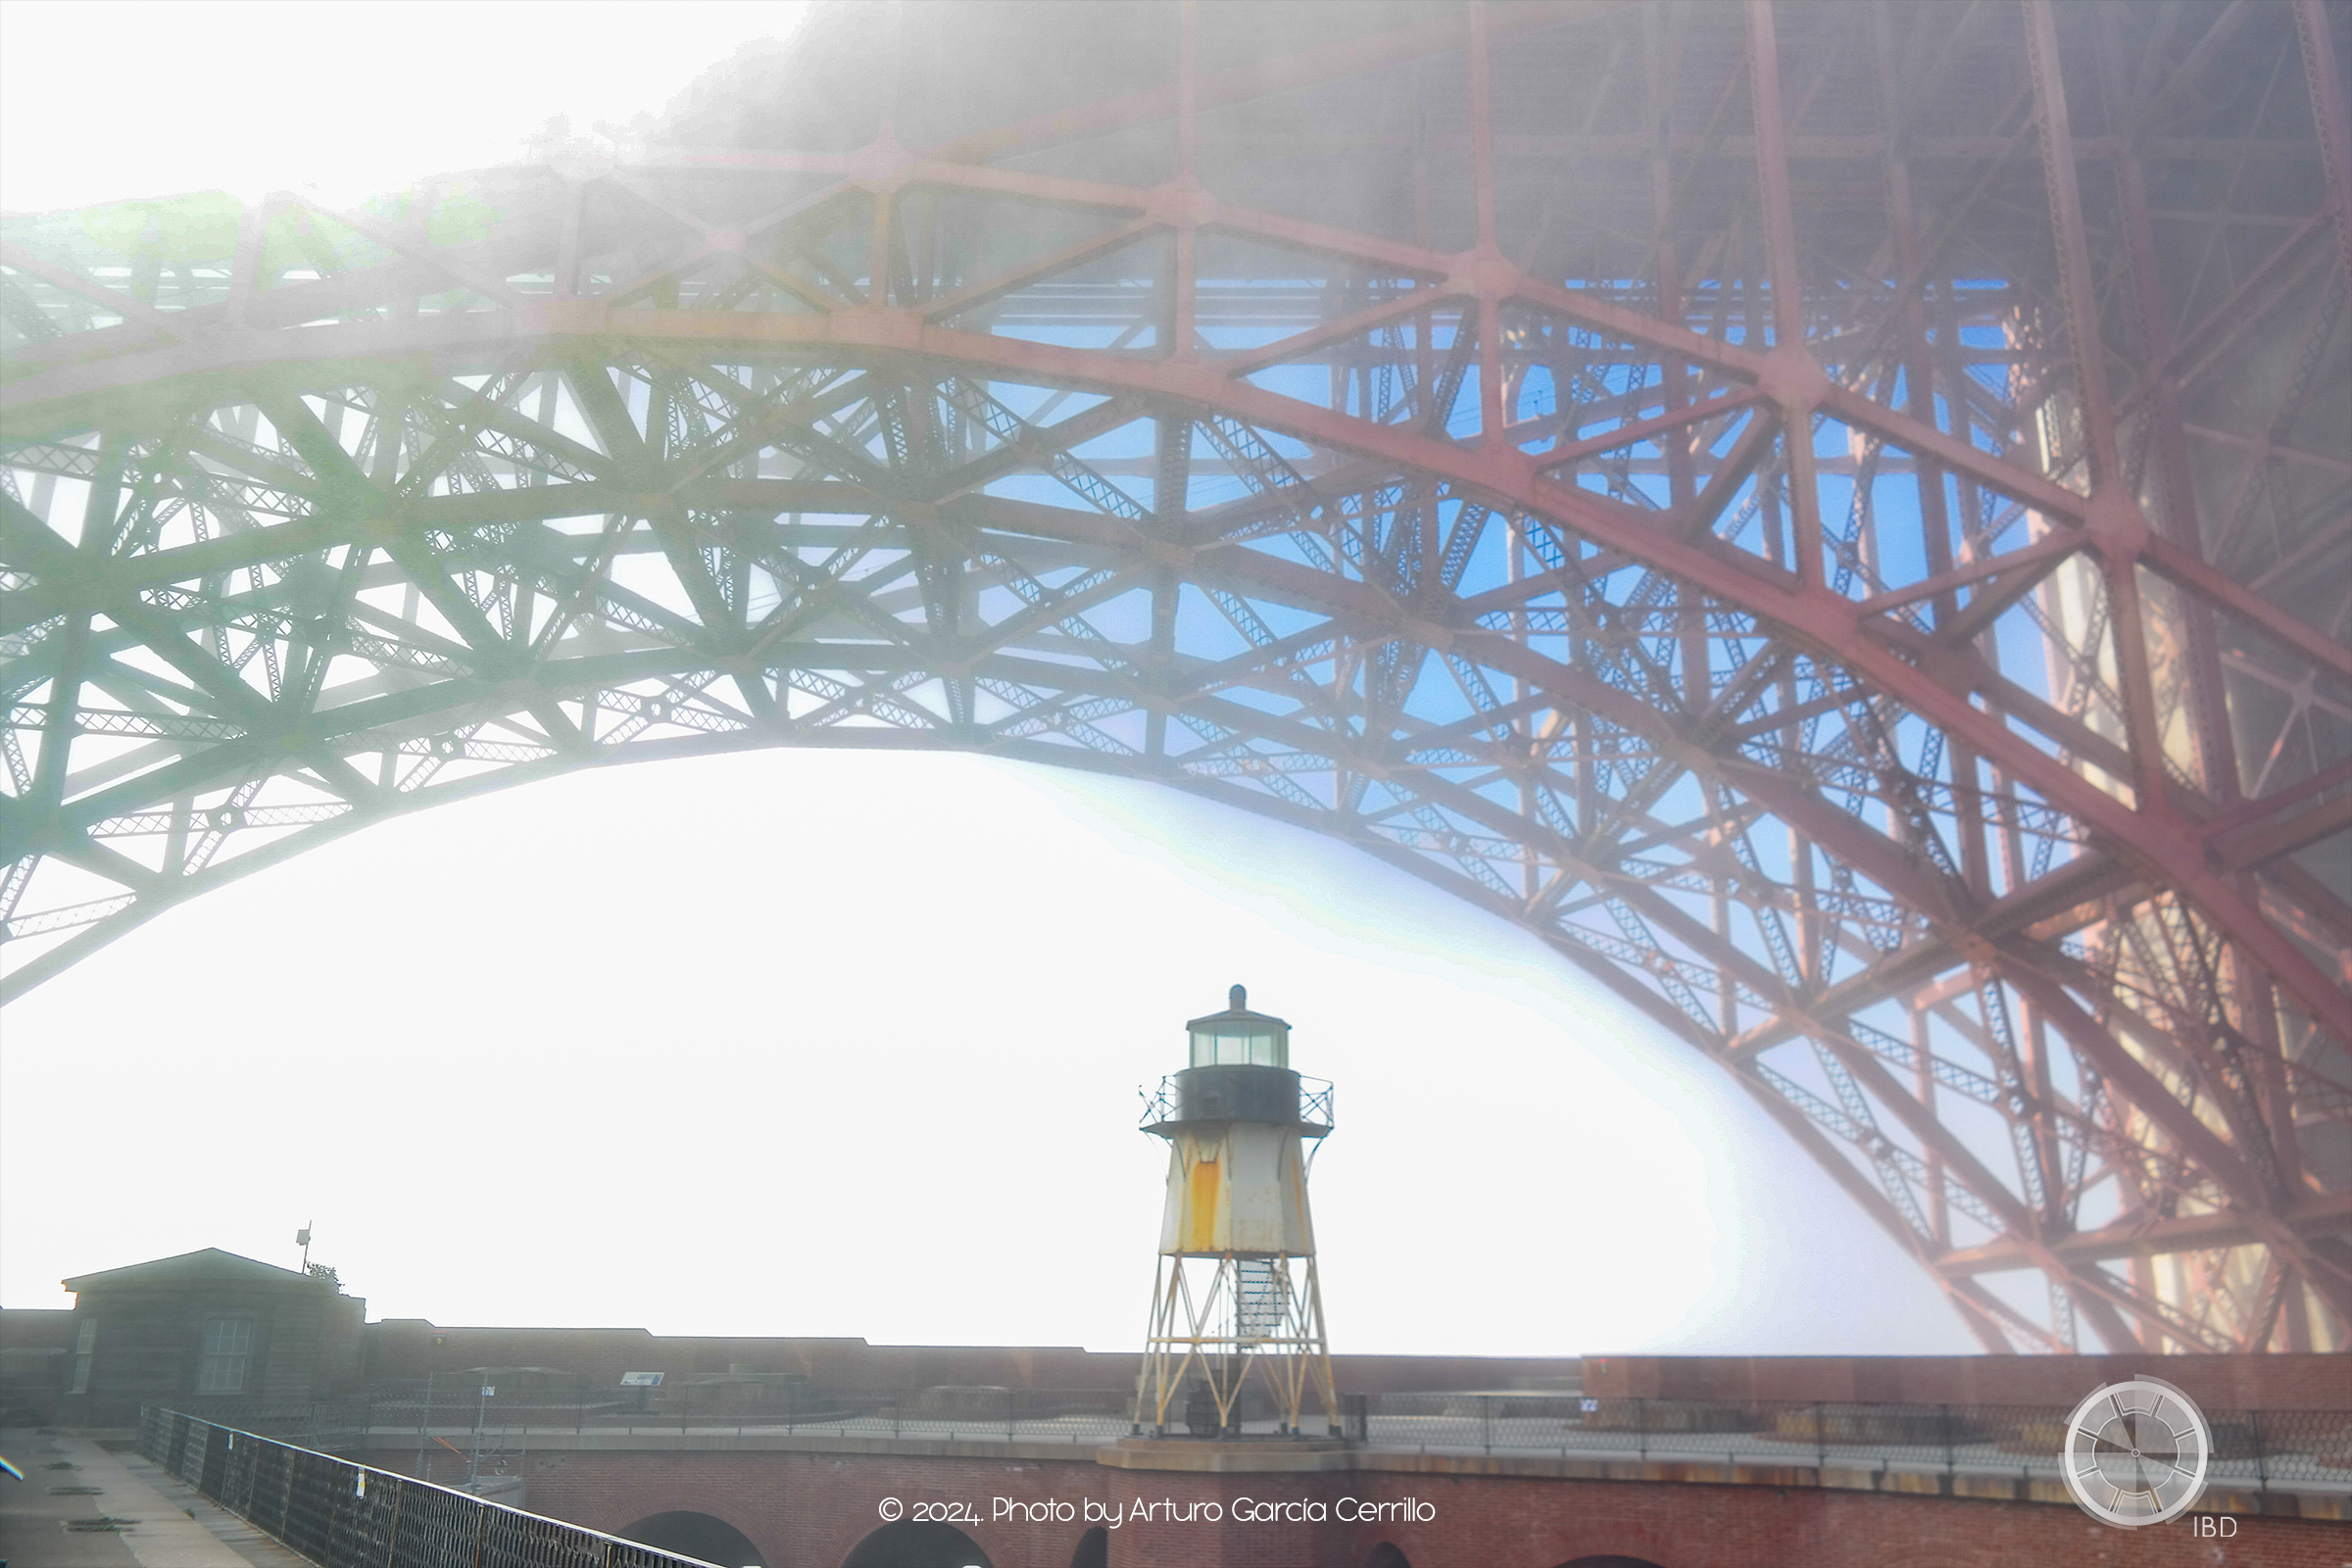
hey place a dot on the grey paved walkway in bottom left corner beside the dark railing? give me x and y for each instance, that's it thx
(161, 1522)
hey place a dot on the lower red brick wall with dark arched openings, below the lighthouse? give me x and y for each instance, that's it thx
(810, 1510)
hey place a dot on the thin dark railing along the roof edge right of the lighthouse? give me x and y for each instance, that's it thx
(2306, 1452)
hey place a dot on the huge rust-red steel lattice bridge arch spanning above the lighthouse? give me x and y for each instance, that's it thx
(1970, 777)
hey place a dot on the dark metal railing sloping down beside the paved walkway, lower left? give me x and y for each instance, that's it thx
(345, 1515)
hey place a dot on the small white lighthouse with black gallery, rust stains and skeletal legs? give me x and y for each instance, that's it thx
(1236, 1296)
